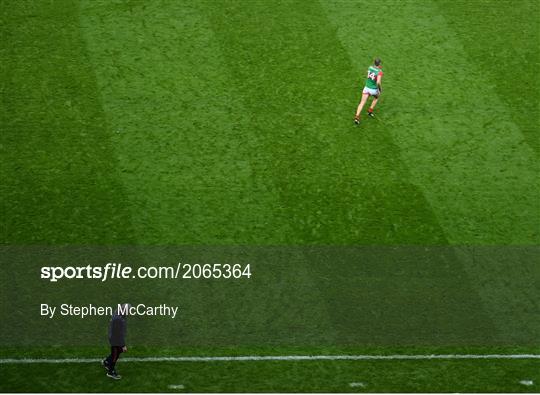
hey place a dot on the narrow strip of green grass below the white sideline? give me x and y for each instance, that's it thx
(281, 376)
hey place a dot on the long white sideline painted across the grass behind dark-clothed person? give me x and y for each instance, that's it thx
(275, 358)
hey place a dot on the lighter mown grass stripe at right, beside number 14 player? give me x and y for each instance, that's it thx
(455, 136)
